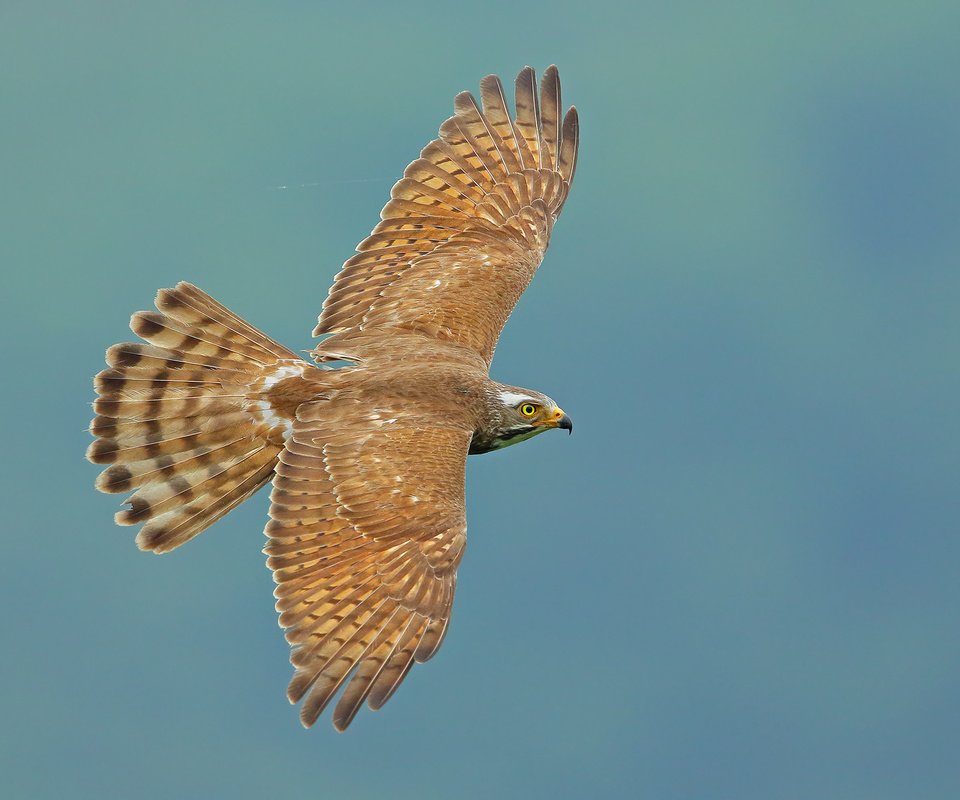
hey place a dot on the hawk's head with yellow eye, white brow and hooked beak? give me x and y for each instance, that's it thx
(518, 415)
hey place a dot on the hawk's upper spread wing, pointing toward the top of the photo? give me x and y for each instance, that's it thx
(468, 224)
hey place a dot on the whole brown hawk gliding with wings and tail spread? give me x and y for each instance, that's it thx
(367, 455)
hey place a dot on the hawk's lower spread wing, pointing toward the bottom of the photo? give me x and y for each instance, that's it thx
(367, 528)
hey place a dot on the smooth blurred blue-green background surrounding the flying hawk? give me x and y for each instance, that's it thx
(738, 579)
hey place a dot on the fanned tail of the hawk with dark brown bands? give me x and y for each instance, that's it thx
(180, 420)
